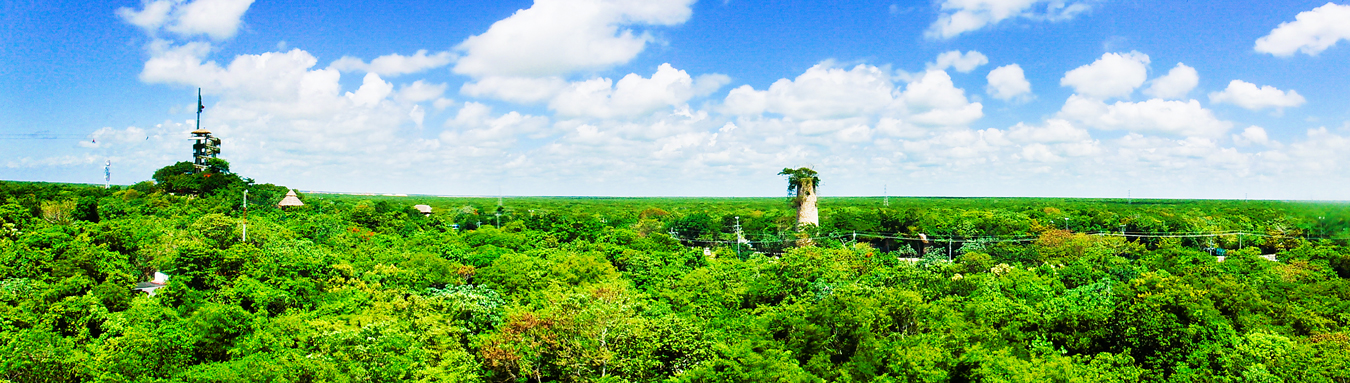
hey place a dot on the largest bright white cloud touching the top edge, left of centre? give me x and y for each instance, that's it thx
(561, 37)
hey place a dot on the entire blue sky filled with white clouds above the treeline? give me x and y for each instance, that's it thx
(674, 98)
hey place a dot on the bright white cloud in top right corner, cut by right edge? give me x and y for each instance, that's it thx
(1312, 33)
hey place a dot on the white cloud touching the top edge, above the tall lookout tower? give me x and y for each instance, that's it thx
(218, 20)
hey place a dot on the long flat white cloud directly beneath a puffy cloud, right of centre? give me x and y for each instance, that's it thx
(1155, 117)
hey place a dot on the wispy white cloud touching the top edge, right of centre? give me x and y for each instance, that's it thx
(962, 17)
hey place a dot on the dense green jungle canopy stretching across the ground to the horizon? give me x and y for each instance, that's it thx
(538, 289)
